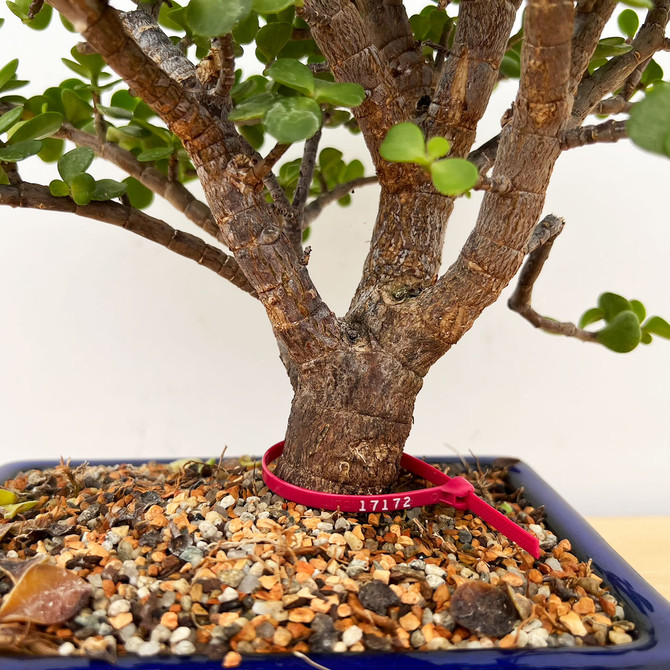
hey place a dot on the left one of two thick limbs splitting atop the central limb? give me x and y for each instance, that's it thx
(341, 36)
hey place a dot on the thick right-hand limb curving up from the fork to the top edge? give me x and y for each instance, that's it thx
(529, 147)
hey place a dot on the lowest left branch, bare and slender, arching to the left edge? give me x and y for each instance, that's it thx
(34, 196)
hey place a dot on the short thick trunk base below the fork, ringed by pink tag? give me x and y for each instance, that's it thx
(350, 418)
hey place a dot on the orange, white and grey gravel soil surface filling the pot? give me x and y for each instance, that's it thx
(201, 558)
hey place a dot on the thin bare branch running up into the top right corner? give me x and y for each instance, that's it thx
(649, 39)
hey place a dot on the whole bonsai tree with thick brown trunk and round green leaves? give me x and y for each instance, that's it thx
(158, 94)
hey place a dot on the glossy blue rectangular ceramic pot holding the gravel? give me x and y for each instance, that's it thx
(643, 605)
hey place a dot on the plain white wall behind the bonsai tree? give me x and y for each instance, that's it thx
(112, 347)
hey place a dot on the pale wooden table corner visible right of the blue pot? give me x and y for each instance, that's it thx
(644, 542)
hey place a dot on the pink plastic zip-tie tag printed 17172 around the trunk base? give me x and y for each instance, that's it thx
(457, 492)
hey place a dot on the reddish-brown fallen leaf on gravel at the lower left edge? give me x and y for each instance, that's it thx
(45, 594)
